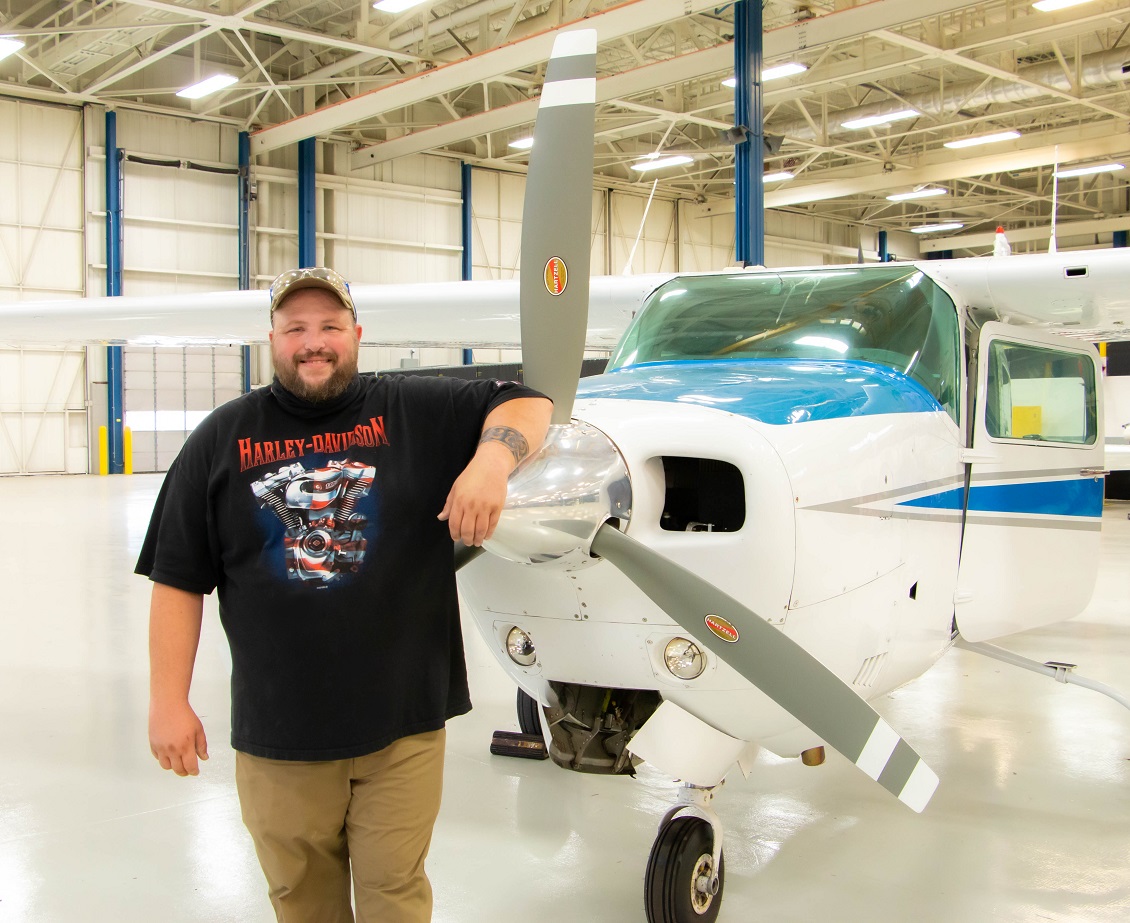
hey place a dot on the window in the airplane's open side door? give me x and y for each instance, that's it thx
(1040, 395)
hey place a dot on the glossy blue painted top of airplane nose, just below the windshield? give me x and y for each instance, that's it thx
(770, 391)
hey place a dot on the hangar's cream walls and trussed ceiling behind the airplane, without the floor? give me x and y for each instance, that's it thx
(398, 103)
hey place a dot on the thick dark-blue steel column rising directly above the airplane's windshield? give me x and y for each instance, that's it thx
(749, 111)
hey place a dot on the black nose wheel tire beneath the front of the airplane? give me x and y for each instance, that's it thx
(679, 858)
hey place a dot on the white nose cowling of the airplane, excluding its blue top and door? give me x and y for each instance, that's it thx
(839, 584)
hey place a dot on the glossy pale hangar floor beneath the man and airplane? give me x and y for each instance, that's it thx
(1032, 822)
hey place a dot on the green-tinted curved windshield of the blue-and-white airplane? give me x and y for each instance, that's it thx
(892, 316)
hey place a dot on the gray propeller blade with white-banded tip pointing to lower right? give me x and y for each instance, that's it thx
(777, 666)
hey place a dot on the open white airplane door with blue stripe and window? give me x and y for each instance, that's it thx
(1030, 553)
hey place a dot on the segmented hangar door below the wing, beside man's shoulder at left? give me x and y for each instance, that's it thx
(168, 391)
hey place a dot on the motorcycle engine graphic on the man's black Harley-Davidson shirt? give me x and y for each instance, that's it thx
(318, 507)
